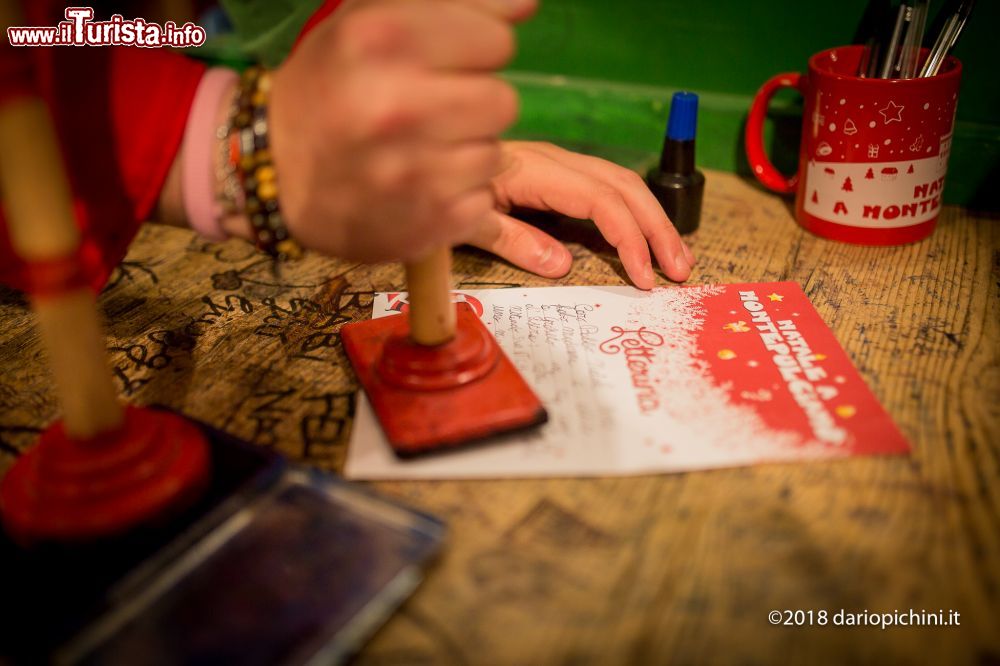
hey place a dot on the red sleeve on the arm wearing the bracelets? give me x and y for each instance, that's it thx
(120, 114)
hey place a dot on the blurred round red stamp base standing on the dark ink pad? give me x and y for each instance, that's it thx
(67, 490)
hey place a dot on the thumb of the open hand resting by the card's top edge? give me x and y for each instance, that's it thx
(523, 245)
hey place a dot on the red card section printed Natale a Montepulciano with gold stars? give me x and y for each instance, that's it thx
(769, 344)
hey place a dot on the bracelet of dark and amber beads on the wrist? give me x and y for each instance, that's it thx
(249, 149)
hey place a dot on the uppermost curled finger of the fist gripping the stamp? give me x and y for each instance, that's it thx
(436, 34)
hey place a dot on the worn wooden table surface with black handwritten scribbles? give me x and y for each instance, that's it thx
(679, 568)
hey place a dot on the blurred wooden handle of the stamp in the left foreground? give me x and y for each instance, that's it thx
(40, 221)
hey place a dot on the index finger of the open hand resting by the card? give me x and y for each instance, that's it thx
(540, 182)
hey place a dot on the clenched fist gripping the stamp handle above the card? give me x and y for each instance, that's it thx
(384, 125)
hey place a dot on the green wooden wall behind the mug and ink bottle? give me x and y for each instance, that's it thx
(600, 74)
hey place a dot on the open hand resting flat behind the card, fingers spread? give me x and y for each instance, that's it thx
(546, 177)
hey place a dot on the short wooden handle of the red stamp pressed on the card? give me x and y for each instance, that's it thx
(432, 314)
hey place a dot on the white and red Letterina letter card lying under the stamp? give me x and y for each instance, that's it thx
(679, 378)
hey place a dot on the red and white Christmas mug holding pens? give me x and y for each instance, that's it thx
(874, 152)
